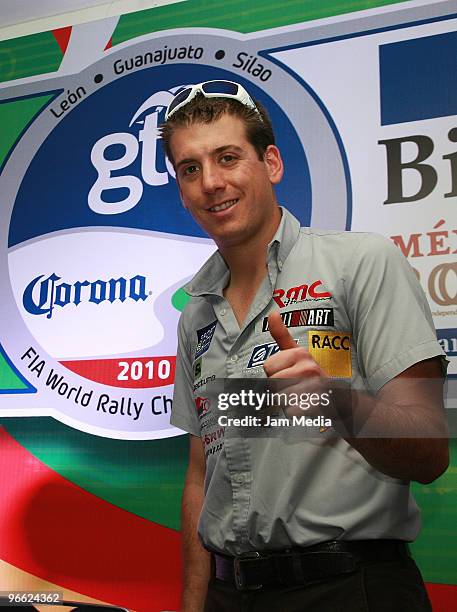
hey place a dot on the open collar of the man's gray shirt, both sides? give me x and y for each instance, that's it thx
(213, 276)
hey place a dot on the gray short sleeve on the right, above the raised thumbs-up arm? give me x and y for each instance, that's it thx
(392, 323)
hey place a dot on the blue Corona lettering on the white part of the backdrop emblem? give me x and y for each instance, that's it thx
(41, 296)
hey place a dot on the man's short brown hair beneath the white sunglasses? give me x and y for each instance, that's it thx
(200, 109)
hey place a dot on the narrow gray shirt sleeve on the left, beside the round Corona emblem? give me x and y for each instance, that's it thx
(184, 413)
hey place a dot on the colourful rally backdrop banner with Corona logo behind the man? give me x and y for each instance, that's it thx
(96, 247)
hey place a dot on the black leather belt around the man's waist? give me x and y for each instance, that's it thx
(253, 570)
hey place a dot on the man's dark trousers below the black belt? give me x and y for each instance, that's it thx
(394, 586)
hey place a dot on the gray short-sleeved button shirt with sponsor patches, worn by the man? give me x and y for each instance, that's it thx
(353, 300)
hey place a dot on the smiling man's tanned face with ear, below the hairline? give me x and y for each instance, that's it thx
(222, 182)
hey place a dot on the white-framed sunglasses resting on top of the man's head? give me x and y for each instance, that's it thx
(211, 89)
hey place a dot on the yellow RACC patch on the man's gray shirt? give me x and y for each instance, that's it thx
(332, 351)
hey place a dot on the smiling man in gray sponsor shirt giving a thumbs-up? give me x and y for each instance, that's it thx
(319, 523)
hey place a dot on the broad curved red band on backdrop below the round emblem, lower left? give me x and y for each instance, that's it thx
(55, 530)
